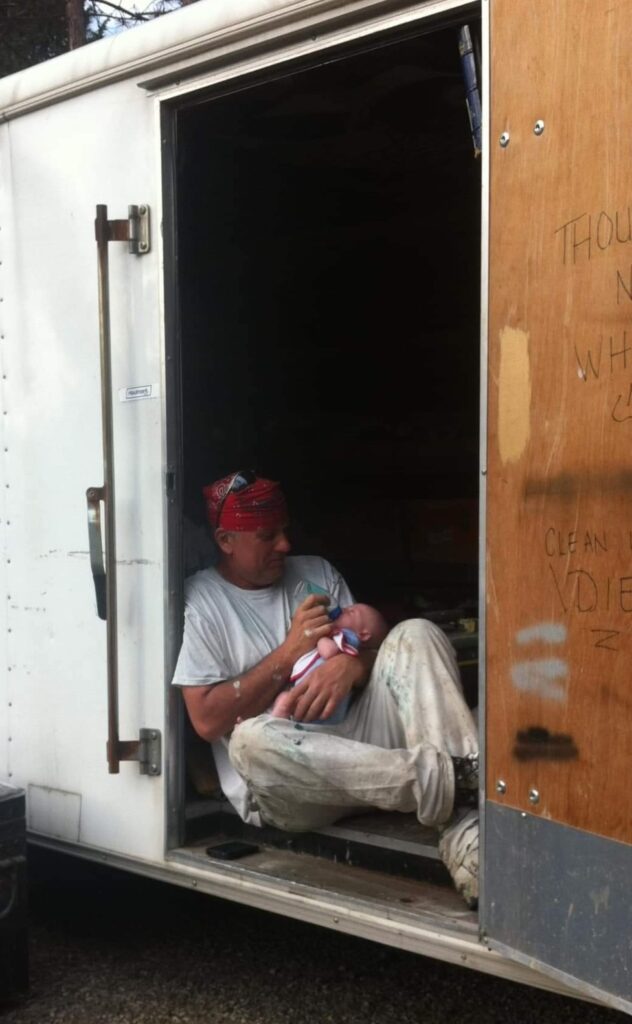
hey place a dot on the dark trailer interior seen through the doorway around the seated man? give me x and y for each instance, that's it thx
(328, 239)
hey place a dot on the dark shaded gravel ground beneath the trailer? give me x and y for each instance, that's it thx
(111, 949)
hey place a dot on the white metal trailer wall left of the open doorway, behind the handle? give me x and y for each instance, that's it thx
(58, 163)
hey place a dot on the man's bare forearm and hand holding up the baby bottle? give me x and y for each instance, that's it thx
(215, 710)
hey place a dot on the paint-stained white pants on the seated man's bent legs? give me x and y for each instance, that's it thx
(393, 752)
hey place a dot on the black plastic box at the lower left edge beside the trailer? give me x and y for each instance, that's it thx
(14, 936)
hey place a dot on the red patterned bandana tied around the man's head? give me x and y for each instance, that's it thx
(260, 505)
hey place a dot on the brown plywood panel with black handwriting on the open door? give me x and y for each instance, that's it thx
(560, 520)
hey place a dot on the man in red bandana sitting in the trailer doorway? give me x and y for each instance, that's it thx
(408, 742)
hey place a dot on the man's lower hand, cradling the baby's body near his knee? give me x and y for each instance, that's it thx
(319, 695)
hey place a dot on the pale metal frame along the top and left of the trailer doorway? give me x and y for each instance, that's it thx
(352, 28)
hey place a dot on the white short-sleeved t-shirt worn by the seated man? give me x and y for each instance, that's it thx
(229, 630)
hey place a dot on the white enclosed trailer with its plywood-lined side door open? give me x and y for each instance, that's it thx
(301, 262)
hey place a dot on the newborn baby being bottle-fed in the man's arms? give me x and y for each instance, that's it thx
(358, 627)
